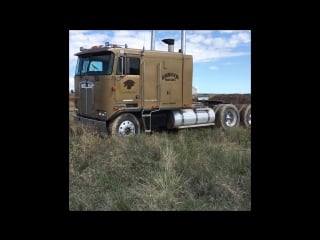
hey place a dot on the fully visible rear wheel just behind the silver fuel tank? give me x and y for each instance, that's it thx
(227, 116)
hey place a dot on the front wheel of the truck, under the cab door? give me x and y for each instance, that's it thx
(124, 125)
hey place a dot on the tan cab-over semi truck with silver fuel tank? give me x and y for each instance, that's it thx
(124, 91)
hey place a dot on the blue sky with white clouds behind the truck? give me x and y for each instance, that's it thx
(221, 58)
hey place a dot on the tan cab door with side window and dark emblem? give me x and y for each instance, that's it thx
(128, 81)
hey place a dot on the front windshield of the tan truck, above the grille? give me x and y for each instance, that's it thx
(95, 64)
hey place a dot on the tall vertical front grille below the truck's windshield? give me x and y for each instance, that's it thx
(86, 98)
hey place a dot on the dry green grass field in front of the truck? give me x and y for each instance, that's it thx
(204, 169)
